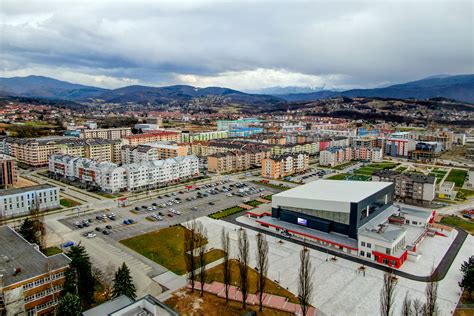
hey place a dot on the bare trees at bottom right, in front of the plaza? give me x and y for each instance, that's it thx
(409, 307)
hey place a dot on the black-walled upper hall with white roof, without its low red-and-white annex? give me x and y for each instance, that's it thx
(332, 205)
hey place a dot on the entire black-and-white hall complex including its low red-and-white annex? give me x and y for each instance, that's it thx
(355, 217)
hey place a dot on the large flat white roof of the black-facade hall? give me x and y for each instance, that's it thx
(334, 190)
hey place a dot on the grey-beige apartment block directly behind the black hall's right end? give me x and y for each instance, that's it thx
(409, 187)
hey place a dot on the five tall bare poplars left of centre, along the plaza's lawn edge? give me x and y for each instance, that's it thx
(195, 248)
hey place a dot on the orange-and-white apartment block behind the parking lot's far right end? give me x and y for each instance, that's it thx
(281, 166)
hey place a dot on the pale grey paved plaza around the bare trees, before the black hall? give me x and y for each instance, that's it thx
(339, 288)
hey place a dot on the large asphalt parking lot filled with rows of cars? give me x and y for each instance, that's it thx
(165, 210)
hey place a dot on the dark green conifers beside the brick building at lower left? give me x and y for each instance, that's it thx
(82, 280)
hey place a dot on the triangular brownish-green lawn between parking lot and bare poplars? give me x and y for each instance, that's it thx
(166, 247)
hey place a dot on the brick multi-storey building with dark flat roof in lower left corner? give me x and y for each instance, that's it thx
(30, 282)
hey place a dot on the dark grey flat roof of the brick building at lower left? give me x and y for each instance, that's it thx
(16, 252)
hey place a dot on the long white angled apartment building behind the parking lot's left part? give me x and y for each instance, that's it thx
(110, 177)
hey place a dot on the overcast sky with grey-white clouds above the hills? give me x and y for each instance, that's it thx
(237, 44)
